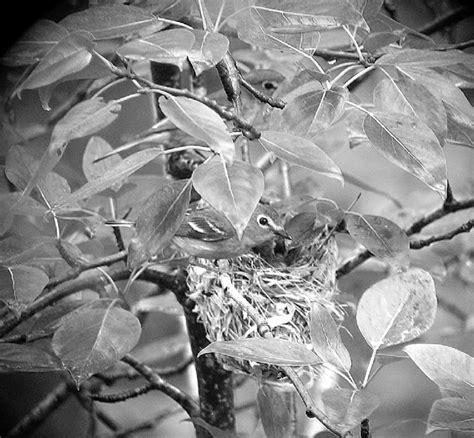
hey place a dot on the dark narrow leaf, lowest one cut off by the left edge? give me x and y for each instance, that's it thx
(25, 358)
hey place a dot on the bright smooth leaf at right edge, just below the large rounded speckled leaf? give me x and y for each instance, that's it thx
(451, 369)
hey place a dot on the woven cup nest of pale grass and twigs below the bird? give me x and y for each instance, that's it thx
(282, 292)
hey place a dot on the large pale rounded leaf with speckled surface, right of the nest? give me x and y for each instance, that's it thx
(397, 309)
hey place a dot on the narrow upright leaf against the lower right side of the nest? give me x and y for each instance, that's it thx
(327, 340)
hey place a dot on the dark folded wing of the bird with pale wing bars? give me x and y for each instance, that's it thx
(198, 227)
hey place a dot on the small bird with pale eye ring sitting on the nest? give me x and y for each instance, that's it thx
(206, 233)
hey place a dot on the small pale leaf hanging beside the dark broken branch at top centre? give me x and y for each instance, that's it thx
(208, 49)
